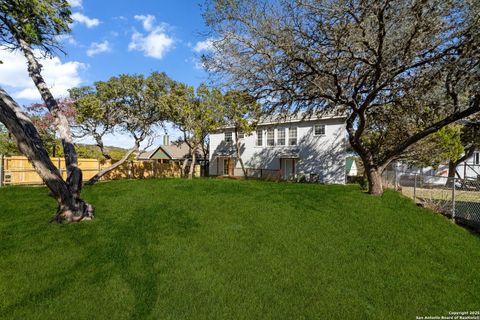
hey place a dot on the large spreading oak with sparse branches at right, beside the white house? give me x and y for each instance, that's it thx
(374, 61)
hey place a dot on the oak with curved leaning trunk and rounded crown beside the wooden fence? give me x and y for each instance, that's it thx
(131, 104)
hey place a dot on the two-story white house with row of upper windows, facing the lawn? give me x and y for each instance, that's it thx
(284, 147)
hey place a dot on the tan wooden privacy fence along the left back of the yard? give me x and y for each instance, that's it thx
(17, 170)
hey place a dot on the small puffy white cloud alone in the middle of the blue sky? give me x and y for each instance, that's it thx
(153, 44)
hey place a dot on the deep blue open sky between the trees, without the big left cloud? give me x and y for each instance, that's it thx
(119, 21)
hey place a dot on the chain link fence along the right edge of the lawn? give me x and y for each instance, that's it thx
(456, 198)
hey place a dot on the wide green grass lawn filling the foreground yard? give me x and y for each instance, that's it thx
(221, 249)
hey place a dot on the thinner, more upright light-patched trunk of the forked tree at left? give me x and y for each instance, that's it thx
(74, 174)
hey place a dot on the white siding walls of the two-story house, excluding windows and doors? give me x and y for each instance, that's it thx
(321, 155)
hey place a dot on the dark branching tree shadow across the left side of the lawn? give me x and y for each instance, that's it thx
(125, 253)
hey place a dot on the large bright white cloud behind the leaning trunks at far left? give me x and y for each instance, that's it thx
(59, 76)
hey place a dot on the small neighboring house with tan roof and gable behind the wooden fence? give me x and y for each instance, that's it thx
(176, 152)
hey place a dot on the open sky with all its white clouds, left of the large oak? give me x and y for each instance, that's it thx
(113, 37)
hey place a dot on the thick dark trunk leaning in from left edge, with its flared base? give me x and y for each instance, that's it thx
(70, 207)
